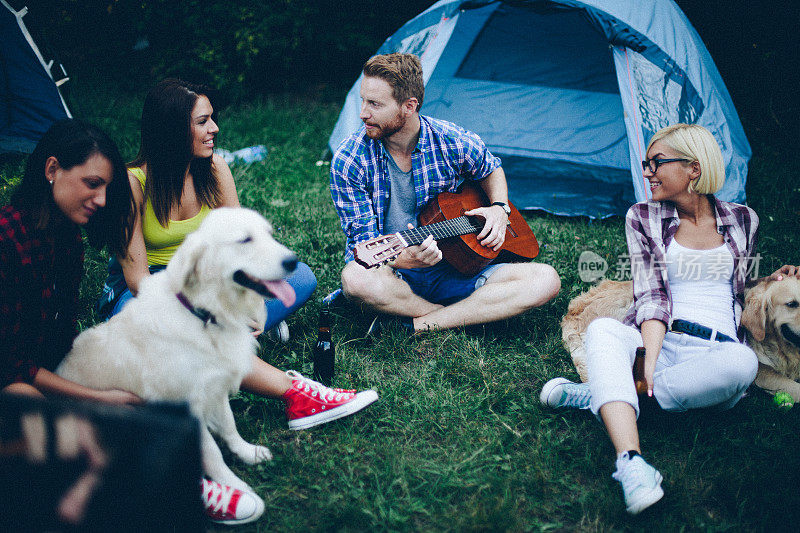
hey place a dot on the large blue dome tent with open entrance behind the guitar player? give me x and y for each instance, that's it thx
(568, 93)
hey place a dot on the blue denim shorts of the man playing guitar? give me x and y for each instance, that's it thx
(442, 284)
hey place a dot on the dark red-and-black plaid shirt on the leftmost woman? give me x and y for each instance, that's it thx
(40, 274)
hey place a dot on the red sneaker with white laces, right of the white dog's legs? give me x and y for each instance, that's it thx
(309, 403)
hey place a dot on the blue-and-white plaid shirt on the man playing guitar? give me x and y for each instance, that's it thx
(445, 155)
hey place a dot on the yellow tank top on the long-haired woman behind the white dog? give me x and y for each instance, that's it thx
(161, 242)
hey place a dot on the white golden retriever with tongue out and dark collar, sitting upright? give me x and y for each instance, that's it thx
(187, 336)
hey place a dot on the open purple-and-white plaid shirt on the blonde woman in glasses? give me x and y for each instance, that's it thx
(650, 228)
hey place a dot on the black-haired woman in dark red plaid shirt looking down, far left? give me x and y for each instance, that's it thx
(74, 178)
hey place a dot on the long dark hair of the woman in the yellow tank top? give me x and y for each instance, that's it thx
(166, 148)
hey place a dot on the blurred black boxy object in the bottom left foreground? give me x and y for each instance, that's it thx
(149, 477)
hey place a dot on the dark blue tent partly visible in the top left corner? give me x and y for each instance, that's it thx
(29, 97)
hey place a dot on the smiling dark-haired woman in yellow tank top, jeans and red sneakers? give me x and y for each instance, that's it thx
(176, 180)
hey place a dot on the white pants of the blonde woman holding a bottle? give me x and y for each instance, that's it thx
(690, 372)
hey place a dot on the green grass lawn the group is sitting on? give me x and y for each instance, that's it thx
(458, 440)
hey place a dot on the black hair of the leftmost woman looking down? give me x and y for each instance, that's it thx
(72, 142)
